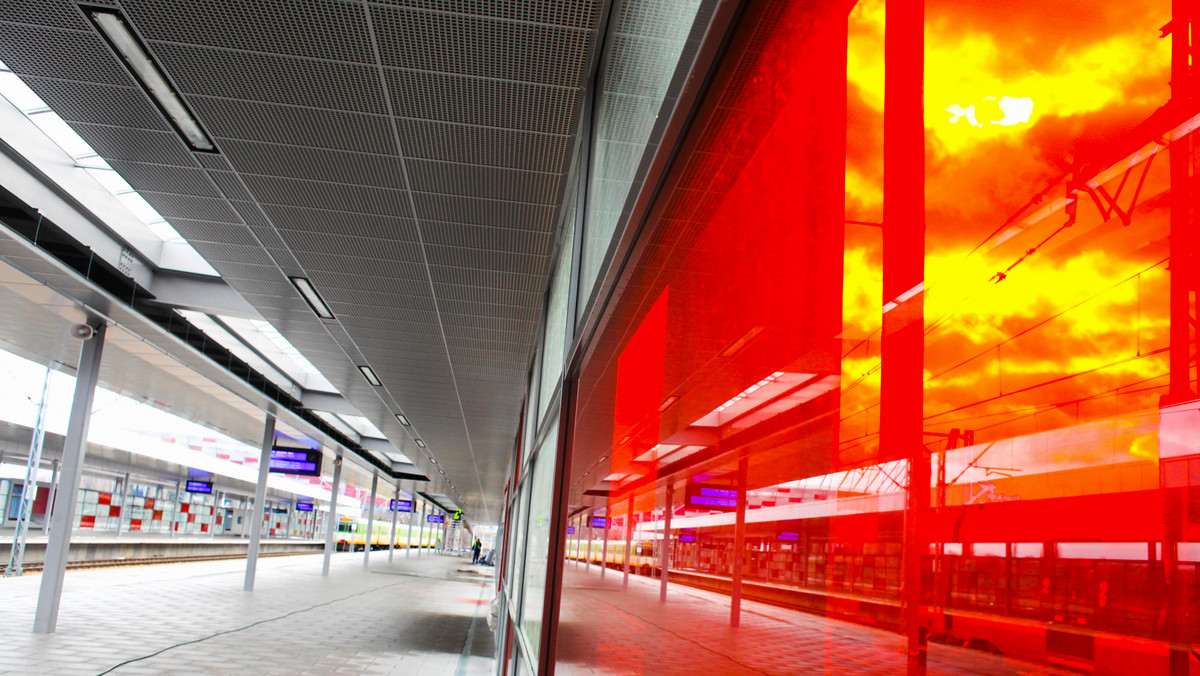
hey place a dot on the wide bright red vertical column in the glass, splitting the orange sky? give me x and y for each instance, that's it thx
(904, 259)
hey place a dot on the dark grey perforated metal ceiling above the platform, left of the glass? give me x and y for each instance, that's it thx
(406, 157)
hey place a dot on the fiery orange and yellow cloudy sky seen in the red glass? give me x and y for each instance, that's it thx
(1093, 73)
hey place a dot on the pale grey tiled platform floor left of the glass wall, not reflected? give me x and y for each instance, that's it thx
(417, 617)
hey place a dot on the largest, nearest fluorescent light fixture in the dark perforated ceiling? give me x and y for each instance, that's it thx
(152, 79)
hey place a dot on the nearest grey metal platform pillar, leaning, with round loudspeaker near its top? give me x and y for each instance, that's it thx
(75, 448)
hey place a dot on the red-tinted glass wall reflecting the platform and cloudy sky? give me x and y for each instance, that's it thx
(857, 403)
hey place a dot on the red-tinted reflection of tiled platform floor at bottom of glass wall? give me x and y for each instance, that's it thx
(607, 631)
